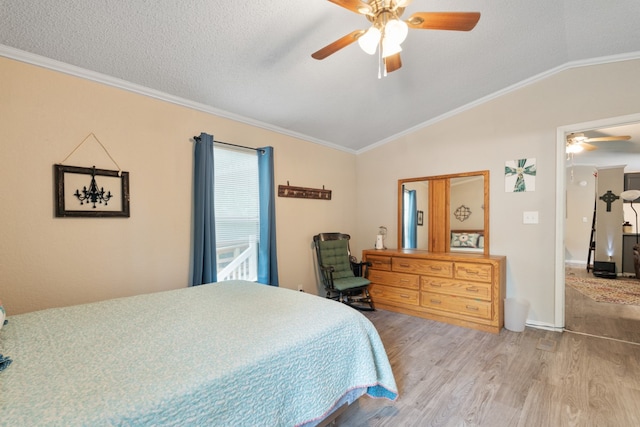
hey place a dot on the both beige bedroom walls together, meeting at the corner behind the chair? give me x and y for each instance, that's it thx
(46, 261)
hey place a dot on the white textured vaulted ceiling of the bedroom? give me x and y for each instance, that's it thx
(251, 59)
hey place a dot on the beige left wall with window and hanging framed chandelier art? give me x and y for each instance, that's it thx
(47, 261)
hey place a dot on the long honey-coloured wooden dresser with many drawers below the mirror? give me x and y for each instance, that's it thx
(462, 289)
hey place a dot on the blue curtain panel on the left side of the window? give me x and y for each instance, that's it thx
(204, 230)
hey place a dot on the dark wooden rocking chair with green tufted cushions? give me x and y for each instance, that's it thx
(341, 276)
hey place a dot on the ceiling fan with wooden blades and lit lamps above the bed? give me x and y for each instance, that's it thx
(388, 31)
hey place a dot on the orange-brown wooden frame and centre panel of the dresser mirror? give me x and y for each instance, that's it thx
(444, 200)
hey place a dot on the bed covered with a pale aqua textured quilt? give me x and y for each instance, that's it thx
(233, 353)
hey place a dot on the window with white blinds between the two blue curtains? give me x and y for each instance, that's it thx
(237, 213)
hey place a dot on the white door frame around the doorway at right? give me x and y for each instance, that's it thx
(561, 200)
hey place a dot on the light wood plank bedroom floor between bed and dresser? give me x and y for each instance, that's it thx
(454, 376)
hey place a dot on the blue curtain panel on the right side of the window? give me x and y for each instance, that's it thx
(267, 255)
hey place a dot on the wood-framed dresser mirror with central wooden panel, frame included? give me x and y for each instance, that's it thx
(444, 213)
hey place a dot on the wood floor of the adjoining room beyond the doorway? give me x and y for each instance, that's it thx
(582, 314)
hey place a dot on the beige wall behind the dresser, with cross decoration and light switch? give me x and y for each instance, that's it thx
(520, 124)
